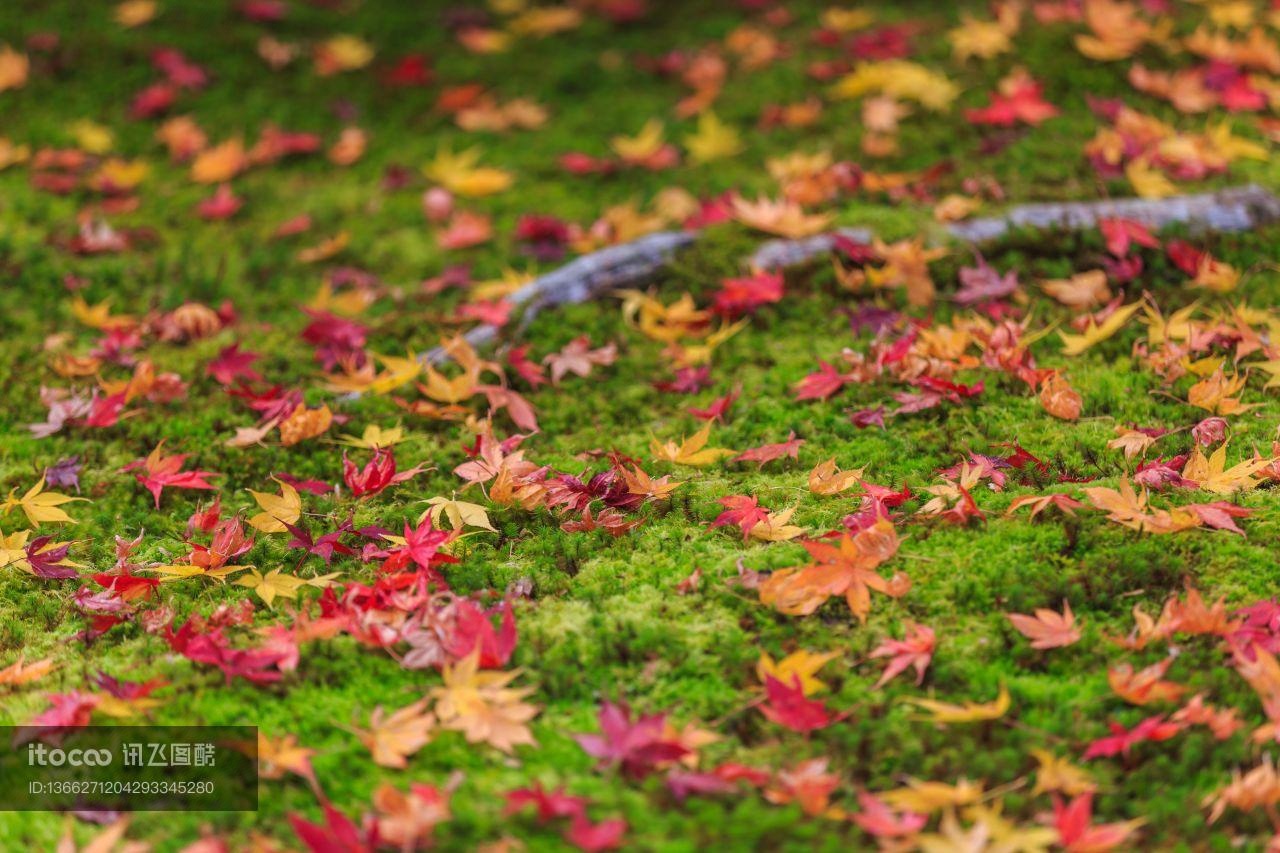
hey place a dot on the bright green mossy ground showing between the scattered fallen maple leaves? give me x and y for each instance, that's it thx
(605, 619)
